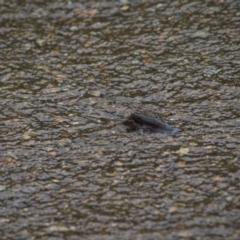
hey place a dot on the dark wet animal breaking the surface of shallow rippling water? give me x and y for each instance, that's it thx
(139, 121)
